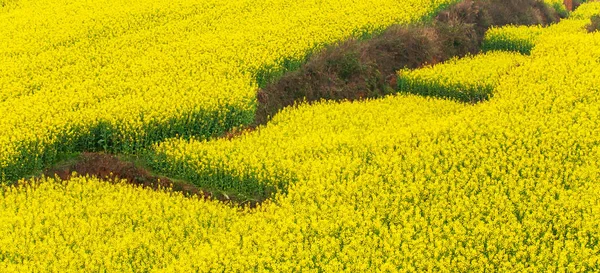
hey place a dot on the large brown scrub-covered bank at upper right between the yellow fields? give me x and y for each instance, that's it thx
(357, 68)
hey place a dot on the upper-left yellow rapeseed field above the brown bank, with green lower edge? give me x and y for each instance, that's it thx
(119, 75)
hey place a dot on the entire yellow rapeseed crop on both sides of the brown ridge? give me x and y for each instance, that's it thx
(488, 162)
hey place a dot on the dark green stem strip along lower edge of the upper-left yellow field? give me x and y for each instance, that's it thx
(103, 136)
